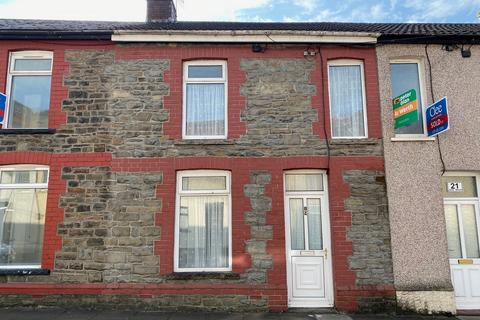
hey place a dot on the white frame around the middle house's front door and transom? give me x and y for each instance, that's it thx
(328, 301)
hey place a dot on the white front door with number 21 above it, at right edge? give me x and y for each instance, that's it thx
(462, 216)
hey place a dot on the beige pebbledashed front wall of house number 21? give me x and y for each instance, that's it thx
(414, 170)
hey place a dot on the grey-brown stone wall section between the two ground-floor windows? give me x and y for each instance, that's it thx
(109, 228)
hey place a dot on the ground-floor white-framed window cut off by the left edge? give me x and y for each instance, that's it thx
(23, 202)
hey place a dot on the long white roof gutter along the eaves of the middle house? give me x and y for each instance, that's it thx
(244, 36)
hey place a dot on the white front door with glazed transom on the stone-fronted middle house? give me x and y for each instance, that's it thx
(308, 240)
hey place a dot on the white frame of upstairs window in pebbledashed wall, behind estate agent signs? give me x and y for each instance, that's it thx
(423, 101)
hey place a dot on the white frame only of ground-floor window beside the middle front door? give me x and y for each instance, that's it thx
(180, 192)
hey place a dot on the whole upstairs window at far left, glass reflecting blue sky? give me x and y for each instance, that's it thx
(28, 90)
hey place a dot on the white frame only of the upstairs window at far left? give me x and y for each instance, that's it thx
(19, 55)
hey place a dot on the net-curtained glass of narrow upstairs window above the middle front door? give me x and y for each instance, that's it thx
(346, 101)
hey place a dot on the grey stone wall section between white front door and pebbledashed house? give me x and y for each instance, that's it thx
(370, 235)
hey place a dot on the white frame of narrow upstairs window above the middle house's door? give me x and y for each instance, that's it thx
(349, 62)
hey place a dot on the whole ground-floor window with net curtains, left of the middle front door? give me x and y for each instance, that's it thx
(203, 229)
